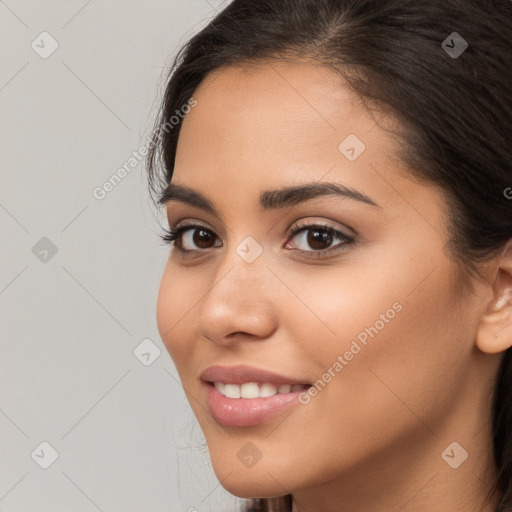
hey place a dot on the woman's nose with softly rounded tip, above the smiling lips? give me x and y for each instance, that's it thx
(238, 305)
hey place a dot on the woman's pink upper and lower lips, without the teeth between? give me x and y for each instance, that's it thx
(245, 412)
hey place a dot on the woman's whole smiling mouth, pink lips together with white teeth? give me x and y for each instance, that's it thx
(244, 396)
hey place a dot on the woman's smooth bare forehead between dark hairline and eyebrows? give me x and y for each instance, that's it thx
(268, 118)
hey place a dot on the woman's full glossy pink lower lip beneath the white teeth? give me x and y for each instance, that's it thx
(245, 412)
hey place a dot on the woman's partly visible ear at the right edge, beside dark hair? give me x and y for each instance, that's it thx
(494, 333)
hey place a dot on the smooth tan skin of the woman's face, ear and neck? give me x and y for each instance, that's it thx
(372, 439)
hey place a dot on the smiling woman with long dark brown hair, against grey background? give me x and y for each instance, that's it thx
(338, 296)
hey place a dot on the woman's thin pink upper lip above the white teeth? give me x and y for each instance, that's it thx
(241, 374)
